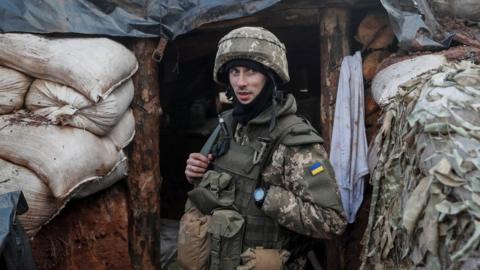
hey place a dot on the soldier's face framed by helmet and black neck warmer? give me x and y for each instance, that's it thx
(246, 83)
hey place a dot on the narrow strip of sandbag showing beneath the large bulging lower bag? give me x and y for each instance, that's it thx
(120, 171)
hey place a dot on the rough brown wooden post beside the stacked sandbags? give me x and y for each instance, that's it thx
(144, 181)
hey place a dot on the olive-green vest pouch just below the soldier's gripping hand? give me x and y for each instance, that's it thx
(214, 191)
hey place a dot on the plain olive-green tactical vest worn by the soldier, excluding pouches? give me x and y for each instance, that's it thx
(245, 164)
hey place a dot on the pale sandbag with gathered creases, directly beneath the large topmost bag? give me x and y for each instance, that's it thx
(63, 105)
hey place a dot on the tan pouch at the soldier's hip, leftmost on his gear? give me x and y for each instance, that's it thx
(193, 248)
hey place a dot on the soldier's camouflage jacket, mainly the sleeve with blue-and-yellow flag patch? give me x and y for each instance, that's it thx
(299, 199)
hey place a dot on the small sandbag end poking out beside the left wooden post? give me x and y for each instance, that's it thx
(122, 134)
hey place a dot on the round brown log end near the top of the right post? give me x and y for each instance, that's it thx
(374, 31)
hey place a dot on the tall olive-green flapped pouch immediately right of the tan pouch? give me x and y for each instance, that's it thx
(226, 229)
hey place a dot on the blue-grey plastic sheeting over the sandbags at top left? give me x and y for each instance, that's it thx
(131, 18)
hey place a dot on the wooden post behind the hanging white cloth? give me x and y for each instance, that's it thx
(334, 45)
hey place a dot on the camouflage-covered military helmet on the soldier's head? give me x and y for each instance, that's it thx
(252, 43)
